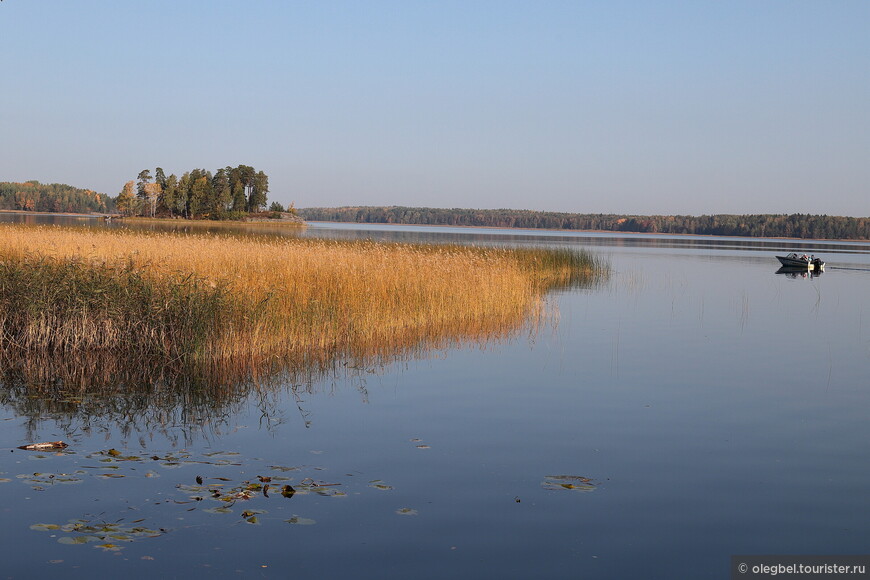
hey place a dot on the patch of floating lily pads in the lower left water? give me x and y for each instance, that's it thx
(234, 499)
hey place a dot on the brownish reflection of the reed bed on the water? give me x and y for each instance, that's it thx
(101, 392)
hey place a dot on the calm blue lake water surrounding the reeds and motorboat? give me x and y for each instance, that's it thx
(711, 406)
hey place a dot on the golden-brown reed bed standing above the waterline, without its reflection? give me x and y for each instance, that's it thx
(210, 299)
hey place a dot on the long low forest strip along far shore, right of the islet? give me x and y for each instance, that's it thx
(765, 225)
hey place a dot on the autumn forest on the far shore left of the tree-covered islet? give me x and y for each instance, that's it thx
(53, 197)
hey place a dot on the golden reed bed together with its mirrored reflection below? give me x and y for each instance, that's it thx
(146, 330)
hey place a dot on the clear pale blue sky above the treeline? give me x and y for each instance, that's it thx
(631, 107)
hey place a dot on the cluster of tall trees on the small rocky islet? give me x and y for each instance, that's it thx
(228, 193)
